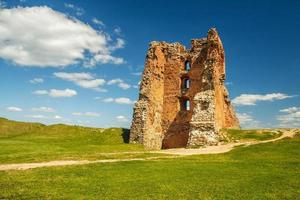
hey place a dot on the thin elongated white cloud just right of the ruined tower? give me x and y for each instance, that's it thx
(251, 99)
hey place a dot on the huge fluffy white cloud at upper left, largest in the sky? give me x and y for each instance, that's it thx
(43, 37)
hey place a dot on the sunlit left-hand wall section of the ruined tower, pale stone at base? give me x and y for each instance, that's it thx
(146, 126)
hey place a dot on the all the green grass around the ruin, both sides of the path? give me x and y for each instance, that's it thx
(264, 171)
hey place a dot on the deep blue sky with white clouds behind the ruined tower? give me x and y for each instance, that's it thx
(79, 62)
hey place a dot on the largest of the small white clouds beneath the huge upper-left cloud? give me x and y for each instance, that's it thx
(84, 80)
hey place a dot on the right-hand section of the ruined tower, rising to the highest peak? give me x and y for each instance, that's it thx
(213, 110)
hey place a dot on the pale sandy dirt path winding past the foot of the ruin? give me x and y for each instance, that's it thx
(172, 153)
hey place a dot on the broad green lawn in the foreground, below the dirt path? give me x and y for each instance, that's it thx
(265, 171)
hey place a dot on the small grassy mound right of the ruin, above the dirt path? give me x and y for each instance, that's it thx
(237, 134)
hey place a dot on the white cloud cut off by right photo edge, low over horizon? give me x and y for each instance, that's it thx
(290, 117)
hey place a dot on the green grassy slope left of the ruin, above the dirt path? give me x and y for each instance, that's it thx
(34, 142)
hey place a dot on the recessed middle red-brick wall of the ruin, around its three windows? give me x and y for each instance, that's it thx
(176, 120)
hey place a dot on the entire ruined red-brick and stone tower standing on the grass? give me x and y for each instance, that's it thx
(183, 101)
